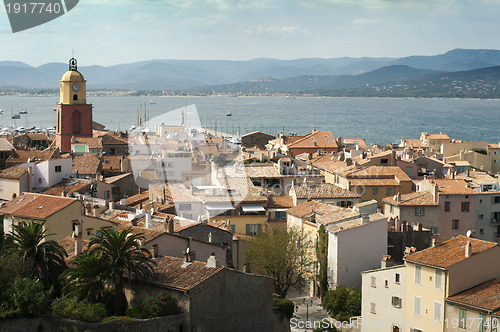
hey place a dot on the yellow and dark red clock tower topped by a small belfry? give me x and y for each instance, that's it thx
(74, 115)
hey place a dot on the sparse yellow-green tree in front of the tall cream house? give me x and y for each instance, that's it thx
(279, 254)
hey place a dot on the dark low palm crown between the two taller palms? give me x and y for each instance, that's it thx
(87, 278)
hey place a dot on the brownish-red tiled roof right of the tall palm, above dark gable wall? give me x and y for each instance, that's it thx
(170, 273)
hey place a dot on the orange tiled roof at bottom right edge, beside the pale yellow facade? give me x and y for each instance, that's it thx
(485, 296)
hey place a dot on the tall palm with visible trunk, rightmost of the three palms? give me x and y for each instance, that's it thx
(121, 249)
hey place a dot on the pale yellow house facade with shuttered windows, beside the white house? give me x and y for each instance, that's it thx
(428, 293)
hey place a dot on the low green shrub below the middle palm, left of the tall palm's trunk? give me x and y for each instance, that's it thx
(69, 307)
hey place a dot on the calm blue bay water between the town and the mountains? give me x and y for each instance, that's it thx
(378, 120)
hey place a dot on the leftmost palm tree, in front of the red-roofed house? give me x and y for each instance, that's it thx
(44, 258)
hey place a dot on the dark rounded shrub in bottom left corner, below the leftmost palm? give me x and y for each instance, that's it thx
(29, 297)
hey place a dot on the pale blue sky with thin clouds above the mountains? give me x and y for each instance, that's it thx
(107, 32)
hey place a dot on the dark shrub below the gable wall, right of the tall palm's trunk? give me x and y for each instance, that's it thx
(157, 305)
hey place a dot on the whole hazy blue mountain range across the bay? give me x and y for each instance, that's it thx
(457, 73)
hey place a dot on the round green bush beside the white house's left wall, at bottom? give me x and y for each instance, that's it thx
(343, 303)
